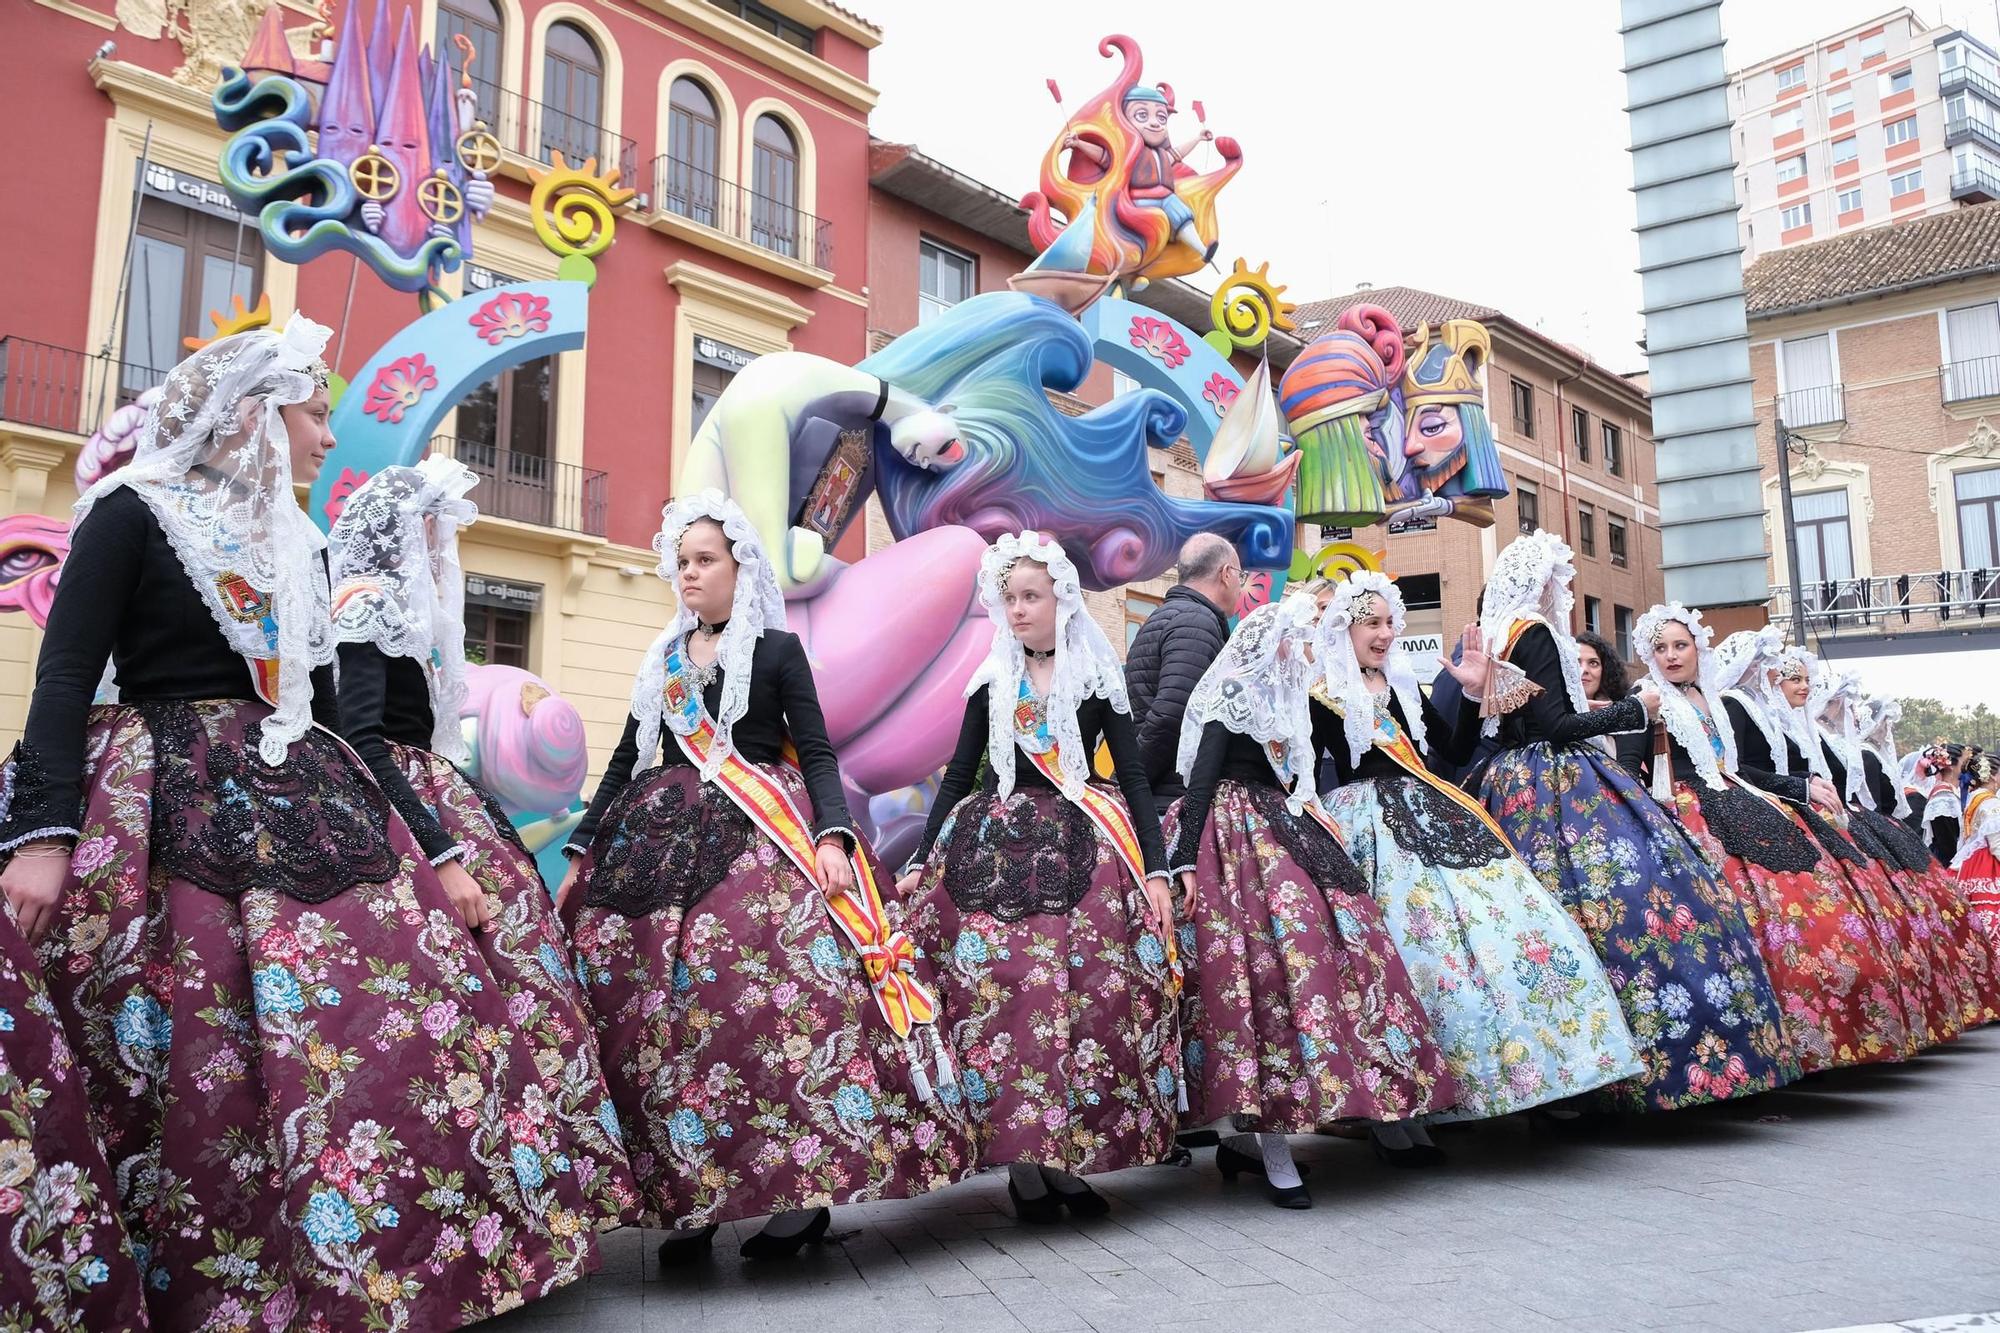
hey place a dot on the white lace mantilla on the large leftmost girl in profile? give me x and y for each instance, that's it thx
(215, 467)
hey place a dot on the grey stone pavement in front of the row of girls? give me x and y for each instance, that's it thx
(1859, 1198)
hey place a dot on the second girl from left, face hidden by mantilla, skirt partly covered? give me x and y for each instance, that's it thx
(399, 613)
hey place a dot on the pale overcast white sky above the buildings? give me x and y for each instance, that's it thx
(1453, 145)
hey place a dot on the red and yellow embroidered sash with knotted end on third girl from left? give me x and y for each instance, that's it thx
(889, 956)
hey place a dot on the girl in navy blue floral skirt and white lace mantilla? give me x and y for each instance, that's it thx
(1671, 938)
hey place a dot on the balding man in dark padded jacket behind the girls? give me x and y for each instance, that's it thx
(1175, 647)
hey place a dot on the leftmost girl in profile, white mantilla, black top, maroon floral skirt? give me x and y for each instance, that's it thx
(305, 1074)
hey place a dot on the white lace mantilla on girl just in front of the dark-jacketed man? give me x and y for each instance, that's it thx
(1261, 688)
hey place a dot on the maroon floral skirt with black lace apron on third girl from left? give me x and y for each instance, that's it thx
(747, 1056)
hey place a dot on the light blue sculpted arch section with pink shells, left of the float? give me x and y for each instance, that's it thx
(395, 405)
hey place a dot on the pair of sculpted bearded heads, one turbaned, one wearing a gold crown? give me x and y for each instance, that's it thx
(1393, 425)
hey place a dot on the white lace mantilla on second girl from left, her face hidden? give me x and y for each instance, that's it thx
(399, 583)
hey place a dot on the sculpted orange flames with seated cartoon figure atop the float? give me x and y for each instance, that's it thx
(1117, 165)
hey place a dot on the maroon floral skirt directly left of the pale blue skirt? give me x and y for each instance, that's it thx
(1297, 1008)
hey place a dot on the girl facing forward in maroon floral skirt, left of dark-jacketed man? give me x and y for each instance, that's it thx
(1043, 898)
